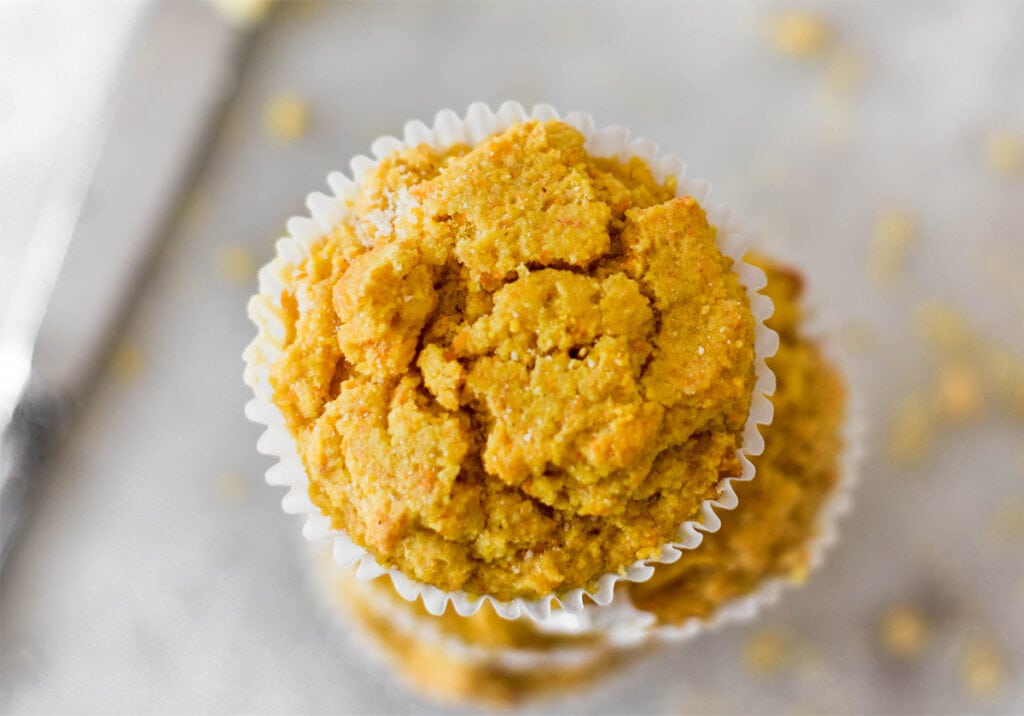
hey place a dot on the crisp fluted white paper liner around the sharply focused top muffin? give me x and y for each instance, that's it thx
(449, 130)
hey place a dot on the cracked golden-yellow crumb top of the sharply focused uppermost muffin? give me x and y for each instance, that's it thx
(515, 368)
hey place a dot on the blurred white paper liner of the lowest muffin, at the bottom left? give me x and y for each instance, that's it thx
(325, 575)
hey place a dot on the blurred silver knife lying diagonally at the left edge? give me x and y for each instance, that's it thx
(98, 234)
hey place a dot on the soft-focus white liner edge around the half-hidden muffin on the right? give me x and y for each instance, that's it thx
(625, 625)
